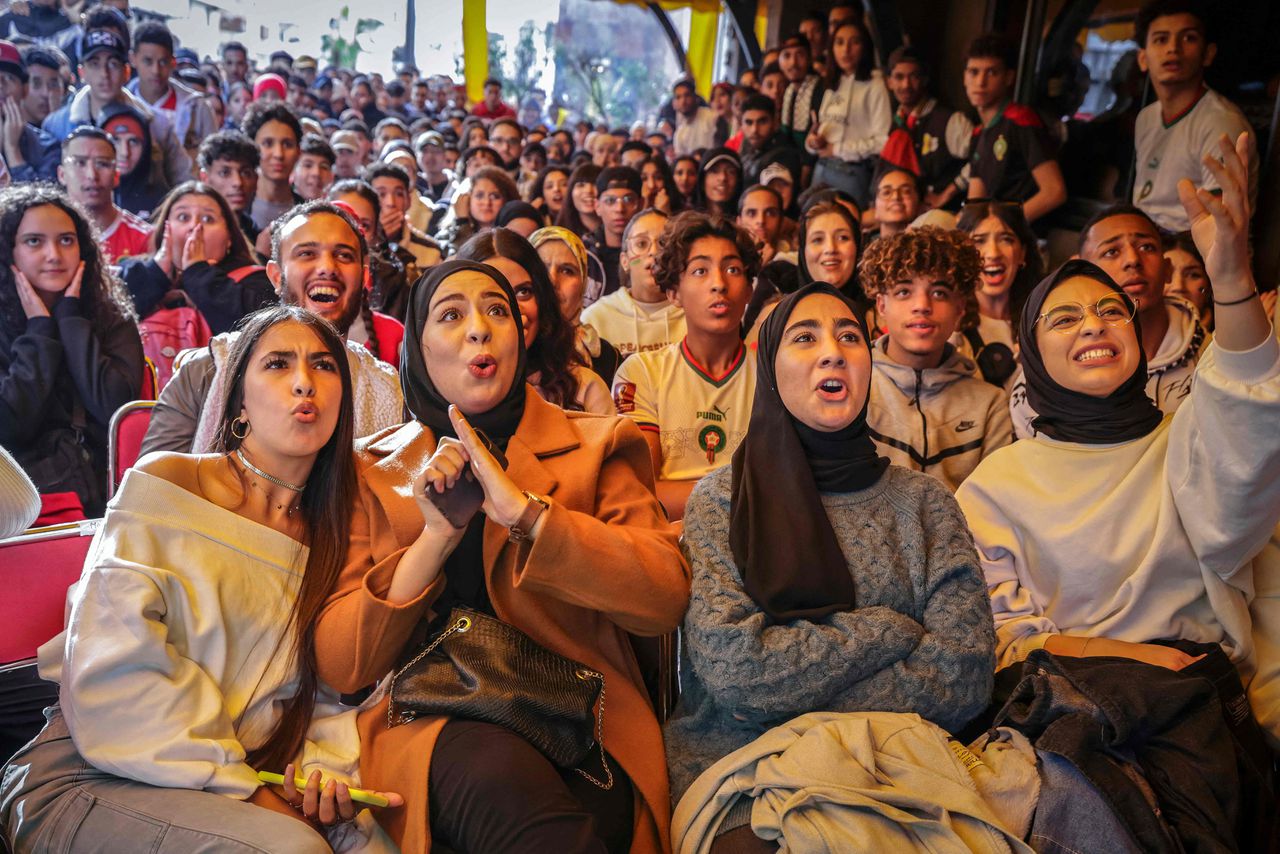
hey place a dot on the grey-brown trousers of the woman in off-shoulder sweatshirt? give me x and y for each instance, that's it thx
(53, 801)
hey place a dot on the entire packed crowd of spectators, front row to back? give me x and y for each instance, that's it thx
(964, 554)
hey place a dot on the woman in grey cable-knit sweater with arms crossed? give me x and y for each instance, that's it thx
(825, 579)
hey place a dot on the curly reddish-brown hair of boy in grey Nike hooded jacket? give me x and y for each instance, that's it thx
(940, 254)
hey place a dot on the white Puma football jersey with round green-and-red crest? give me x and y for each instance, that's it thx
(700, 419)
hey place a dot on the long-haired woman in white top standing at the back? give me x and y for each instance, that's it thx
(854, 118)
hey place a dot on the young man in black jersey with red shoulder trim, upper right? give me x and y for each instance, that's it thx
(1013, 157)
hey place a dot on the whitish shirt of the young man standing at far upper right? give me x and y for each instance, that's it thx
(1169, 153)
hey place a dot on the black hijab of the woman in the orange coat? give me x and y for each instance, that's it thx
(464, 570)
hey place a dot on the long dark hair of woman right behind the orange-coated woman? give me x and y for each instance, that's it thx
(552, 355)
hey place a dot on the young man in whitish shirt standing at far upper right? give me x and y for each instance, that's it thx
(1173, 135)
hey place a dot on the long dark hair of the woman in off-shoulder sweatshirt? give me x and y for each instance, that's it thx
(326, 509)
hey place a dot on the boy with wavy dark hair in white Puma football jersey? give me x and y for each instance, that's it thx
(693, 400)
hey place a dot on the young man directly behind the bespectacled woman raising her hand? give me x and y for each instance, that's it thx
(1126, 243)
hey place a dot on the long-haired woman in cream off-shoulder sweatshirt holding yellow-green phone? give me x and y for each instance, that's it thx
(189, 664)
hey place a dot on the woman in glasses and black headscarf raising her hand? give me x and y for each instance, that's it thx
(1117, 531)
